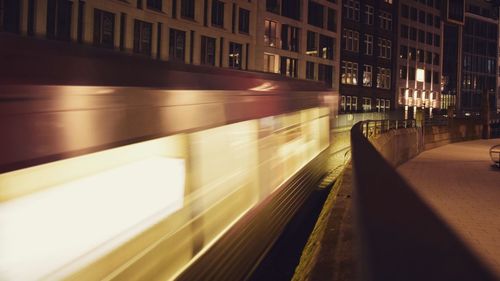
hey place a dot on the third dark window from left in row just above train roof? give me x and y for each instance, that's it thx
(104, 28)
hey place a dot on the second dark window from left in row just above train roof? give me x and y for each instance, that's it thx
(59, 19)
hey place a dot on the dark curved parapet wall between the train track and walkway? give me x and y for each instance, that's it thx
(400, 237)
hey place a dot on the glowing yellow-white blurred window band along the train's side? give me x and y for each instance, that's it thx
(148, 210)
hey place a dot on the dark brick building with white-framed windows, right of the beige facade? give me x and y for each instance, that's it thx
(367, 56)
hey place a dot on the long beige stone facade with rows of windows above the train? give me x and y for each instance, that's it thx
(295, 38)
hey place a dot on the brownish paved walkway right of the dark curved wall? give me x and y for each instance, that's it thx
(460, 184)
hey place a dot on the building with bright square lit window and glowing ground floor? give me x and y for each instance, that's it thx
(420, 49)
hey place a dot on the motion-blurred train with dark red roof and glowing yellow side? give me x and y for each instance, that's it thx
(121, 167)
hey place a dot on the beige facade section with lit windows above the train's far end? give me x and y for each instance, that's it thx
(298, 38)
